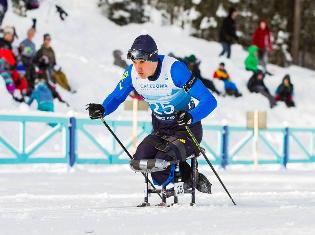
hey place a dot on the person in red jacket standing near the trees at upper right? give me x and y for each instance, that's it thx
(262, 39)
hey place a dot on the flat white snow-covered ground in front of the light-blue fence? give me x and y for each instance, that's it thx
(36, 200)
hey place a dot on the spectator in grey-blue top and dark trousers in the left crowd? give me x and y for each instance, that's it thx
(28, 50)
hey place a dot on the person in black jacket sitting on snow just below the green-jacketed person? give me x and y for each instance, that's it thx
(256, 84)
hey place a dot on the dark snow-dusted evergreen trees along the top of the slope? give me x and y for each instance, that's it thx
(203, 18)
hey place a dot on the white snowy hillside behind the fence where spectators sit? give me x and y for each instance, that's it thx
(84, 45)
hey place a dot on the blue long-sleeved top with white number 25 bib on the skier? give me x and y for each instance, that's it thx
(164, 91)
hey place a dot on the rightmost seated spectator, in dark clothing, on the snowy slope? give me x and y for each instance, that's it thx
(284, 92)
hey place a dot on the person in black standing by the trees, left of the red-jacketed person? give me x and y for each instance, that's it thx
(227, 33)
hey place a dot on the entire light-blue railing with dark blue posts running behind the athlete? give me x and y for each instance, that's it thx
(232, 145)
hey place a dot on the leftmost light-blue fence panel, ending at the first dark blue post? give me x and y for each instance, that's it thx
(23, 153)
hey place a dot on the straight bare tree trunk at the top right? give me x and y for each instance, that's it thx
(296, 31)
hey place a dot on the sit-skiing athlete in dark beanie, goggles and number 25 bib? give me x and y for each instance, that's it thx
(169, 88)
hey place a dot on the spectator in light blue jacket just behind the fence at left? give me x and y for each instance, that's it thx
(43, 96)
